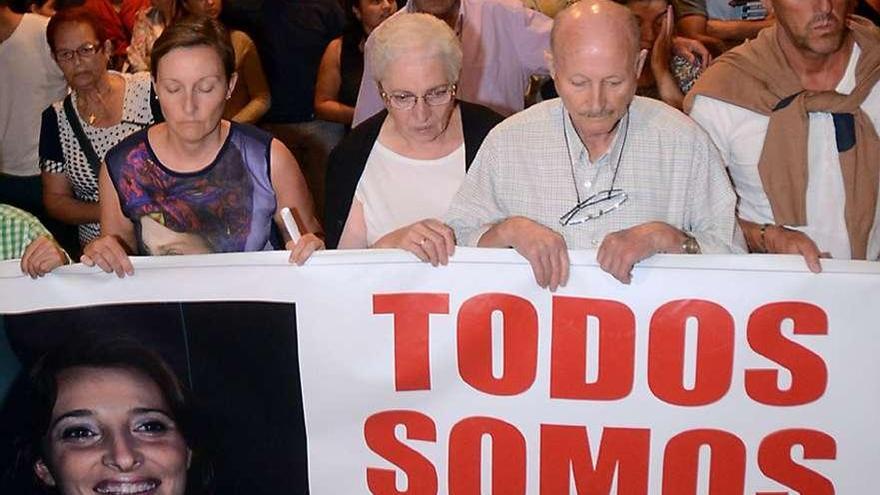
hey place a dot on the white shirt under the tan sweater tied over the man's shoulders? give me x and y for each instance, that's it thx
(739, 135)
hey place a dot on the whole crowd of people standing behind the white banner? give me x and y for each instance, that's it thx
(414, 127)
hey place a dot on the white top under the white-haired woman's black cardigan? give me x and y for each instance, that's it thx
(396, 191)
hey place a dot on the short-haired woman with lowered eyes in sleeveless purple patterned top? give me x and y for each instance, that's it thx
(198, 183)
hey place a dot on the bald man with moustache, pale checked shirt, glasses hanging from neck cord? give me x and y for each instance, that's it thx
(598, 167)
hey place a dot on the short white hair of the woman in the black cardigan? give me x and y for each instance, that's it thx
(412, 32)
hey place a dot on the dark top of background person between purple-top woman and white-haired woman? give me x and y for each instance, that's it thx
(295, 35)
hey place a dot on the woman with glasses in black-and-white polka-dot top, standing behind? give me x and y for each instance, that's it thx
(102, 109)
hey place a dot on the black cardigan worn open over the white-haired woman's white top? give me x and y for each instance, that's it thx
(348, 159)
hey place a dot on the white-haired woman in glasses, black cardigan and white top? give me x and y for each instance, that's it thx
(397, 172)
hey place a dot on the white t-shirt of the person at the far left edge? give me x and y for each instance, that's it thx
(30, 81)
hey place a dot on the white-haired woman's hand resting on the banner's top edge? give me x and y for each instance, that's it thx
(431, 240)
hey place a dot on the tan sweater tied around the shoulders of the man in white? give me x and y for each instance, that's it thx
(756, 76)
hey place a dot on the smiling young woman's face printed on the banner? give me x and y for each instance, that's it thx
(112, 433)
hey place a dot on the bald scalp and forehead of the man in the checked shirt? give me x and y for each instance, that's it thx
(595, 20)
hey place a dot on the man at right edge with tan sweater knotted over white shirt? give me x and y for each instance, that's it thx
(793, 113)
